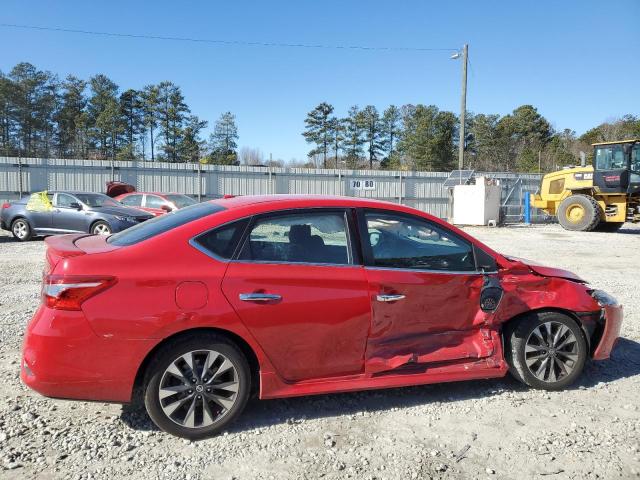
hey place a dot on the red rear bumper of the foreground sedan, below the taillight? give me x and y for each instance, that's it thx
(62, 357)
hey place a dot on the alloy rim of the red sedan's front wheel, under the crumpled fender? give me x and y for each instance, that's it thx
(551, 352)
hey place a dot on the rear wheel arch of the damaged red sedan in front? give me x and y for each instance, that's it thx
(241, 343)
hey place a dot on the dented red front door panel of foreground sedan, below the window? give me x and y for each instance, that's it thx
(436, 318)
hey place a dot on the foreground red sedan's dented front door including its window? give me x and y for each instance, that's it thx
(425, 292)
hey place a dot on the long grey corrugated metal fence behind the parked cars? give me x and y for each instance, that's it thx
(421, 190)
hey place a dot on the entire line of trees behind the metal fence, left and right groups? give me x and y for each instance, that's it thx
(44, 116)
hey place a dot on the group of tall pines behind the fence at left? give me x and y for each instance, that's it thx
(43, 116)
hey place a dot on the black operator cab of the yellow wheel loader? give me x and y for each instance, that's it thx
(616, 167)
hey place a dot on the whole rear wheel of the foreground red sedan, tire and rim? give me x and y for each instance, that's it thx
(196, 386)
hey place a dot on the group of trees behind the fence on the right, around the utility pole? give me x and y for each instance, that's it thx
(423, 137)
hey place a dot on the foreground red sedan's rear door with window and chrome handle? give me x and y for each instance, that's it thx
(300, 290)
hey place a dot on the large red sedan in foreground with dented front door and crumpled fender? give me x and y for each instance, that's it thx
(298, 295)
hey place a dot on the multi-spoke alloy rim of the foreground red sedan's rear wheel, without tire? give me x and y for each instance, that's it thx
(198, 388)
